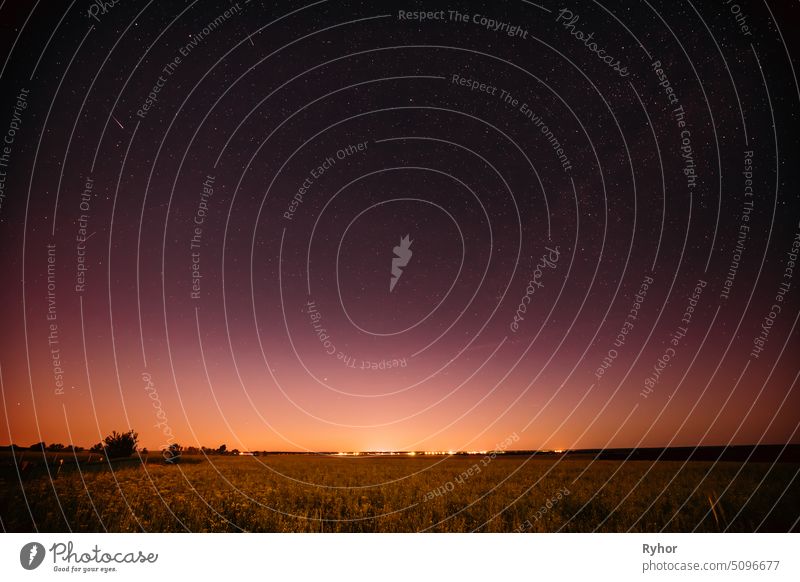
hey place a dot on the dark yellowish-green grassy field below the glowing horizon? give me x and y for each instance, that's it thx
(292, 493)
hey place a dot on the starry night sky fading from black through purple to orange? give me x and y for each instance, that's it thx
(203, 207)
